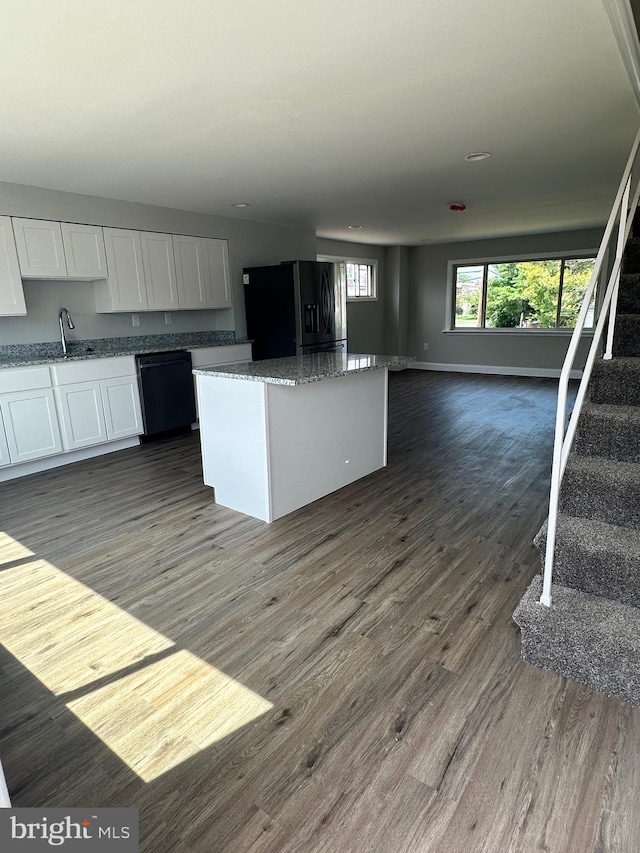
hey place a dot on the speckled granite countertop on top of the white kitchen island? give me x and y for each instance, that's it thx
(301, 369)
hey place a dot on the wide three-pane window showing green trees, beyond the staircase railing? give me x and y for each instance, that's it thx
(544, 293)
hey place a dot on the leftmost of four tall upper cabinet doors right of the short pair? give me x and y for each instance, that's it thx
(126, 283)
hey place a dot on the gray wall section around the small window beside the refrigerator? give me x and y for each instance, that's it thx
(365, 320)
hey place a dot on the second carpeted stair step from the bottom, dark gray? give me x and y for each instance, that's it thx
(598, 558)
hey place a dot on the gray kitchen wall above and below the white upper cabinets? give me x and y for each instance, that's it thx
(249, 243)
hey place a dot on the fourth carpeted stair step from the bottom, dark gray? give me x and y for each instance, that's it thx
(611, 431)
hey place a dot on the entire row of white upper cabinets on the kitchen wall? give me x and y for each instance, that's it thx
(132, 270)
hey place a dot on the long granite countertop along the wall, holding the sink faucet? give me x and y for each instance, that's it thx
(23, 355)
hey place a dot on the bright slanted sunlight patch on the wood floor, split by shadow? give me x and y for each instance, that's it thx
(70, 638)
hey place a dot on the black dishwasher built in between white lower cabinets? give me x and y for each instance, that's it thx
(166, 393)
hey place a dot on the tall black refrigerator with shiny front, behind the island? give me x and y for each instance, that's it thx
(295, 308)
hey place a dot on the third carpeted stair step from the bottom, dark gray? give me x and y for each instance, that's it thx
(601, 489)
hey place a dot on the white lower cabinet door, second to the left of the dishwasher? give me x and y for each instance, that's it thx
(81, 415)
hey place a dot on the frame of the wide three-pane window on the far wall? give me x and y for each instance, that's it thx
(450, 326)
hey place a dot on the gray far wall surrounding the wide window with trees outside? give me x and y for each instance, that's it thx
(427, 305)
